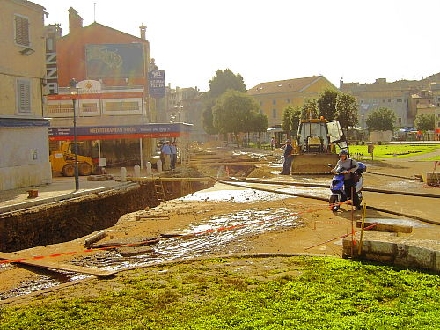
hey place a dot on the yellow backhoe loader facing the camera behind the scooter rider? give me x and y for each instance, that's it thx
(315, 146)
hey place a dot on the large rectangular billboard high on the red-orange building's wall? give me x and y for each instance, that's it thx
(114, 60)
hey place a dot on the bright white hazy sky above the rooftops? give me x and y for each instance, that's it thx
(264, 41)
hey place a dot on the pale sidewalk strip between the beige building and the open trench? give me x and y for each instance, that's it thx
(61, 188)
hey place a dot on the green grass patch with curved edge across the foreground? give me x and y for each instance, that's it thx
(259, 293)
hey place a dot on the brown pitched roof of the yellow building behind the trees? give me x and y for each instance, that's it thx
(289, 85)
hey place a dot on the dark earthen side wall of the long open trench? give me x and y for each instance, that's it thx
(69, 219)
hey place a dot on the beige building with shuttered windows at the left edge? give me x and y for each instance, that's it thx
(23, 130)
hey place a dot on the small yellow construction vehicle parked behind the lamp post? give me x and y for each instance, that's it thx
(63, 161)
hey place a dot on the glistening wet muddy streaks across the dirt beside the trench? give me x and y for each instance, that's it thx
(228, 230)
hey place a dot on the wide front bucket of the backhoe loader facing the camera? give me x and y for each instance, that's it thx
(313, 163)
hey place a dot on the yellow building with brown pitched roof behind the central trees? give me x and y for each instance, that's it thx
(275, 96)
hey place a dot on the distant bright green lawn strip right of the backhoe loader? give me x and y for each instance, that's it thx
(396, 150)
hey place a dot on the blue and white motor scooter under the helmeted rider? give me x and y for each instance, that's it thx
(337, 187)
